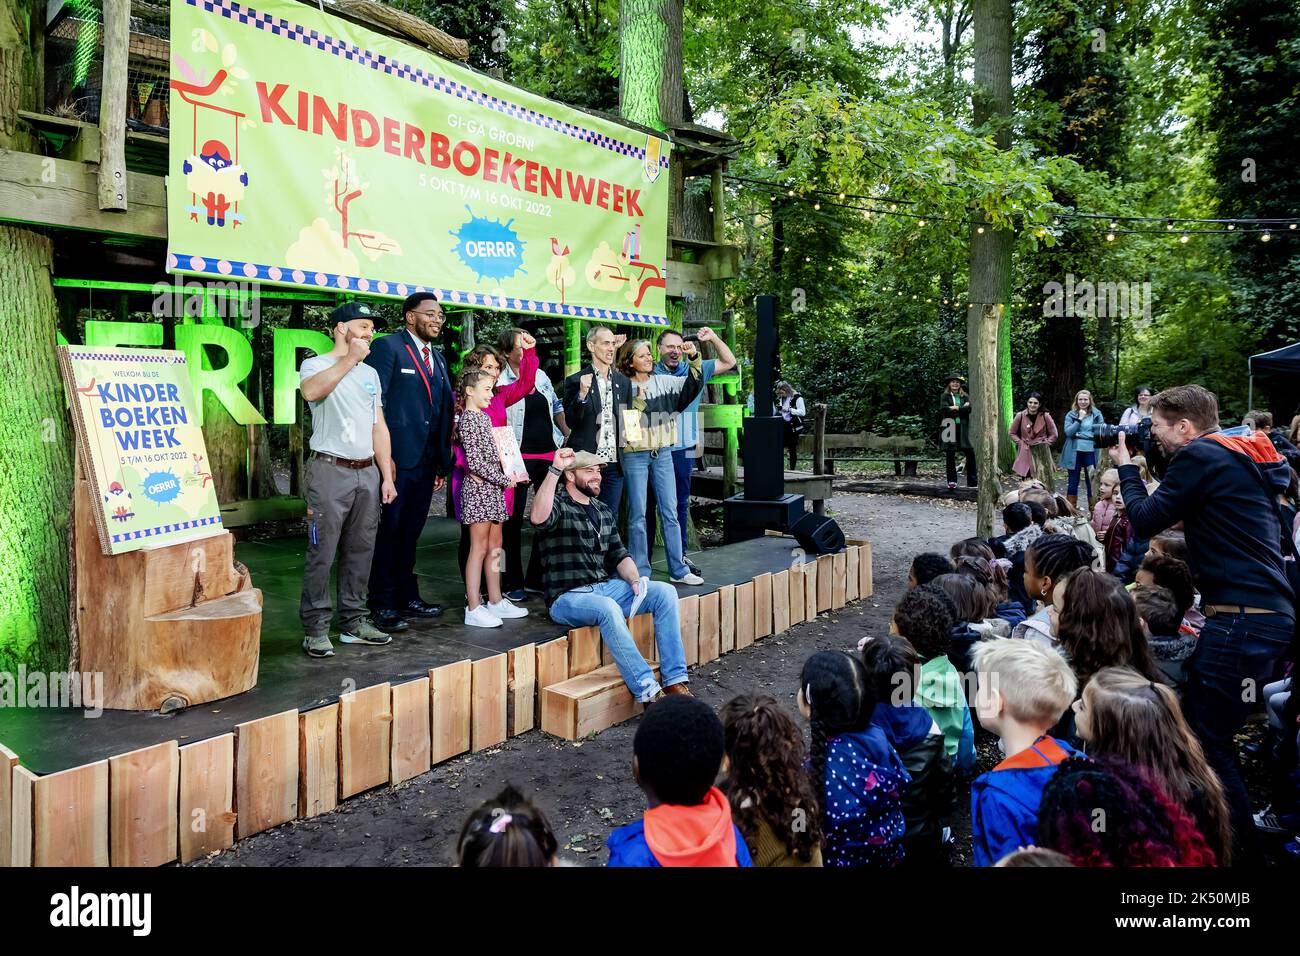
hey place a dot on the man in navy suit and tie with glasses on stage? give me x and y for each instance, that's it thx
(418, 405)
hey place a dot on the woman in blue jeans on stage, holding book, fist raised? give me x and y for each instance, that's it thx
(649, 436)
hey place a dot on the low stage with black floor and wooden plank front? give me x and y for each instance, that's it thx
(314, 732)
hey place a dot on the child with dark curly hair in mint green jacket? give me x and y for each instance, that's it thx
(926, 618)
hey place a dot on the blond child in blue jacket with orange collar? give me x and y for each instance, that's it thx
(1024, 690)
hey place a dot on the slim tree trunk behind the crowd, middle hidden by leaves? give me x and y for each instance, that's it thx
(991, 263)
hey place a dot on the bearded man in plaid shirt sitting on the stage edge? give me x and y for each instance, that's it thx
(591, 579)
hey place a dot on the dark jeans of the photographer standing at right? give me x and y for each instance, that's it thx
(1233, 651)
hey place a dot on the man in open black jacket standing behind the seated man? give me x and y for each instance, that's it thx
(593, 399)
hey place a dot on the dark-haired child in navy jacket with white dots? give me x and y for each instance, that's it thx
(859, 775)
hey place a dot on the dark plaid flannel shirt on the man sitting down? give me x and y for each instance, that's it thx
(577, 555)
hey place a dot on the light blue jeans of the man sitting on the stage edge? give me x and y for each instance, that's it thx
(608, 605)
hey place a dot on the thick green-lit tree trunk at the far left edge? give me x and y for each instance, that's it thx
(36, 471)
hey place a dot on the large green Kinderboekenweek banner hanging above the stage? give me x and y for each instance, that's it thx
(309, 152)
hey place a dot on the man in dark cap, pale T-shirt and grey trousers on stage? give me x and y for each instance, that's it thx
(344, 488)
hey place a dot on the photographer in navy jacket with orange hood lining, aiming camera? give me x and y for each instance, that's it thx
(1225, 492)
